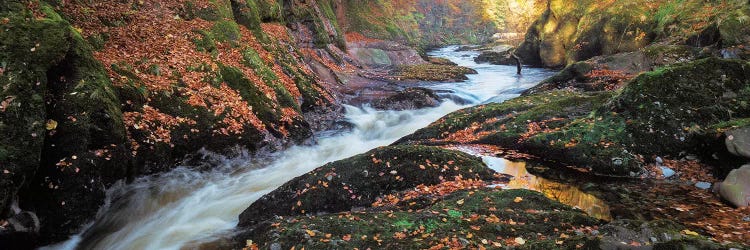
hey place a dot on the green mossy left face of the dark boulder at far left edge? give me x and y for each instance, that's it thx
(28, 49)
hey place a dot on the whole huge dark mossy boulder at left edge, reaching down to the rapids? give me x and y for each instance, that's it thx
(63, 119)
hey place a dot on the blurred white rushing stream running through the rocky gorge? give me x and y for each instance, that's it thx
(186, 206)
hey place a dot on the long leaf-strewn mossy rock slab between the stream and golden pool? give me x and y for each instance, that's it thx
(556, 126)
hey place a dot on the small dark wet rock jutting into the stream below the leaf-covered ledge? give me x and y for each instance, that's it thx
(408, 99)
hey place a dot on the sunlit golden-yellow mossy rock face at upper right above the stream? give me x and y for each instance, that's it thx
(569, 32)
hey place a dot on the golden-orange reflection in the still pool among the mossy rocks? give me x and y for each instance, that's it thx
(566, 194)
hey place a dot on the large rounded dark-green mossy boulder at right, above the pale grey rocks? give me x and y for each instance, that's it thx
(668, 109)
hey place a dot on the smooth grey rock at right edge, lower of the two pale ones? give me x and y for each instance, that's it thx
(736, 187)
